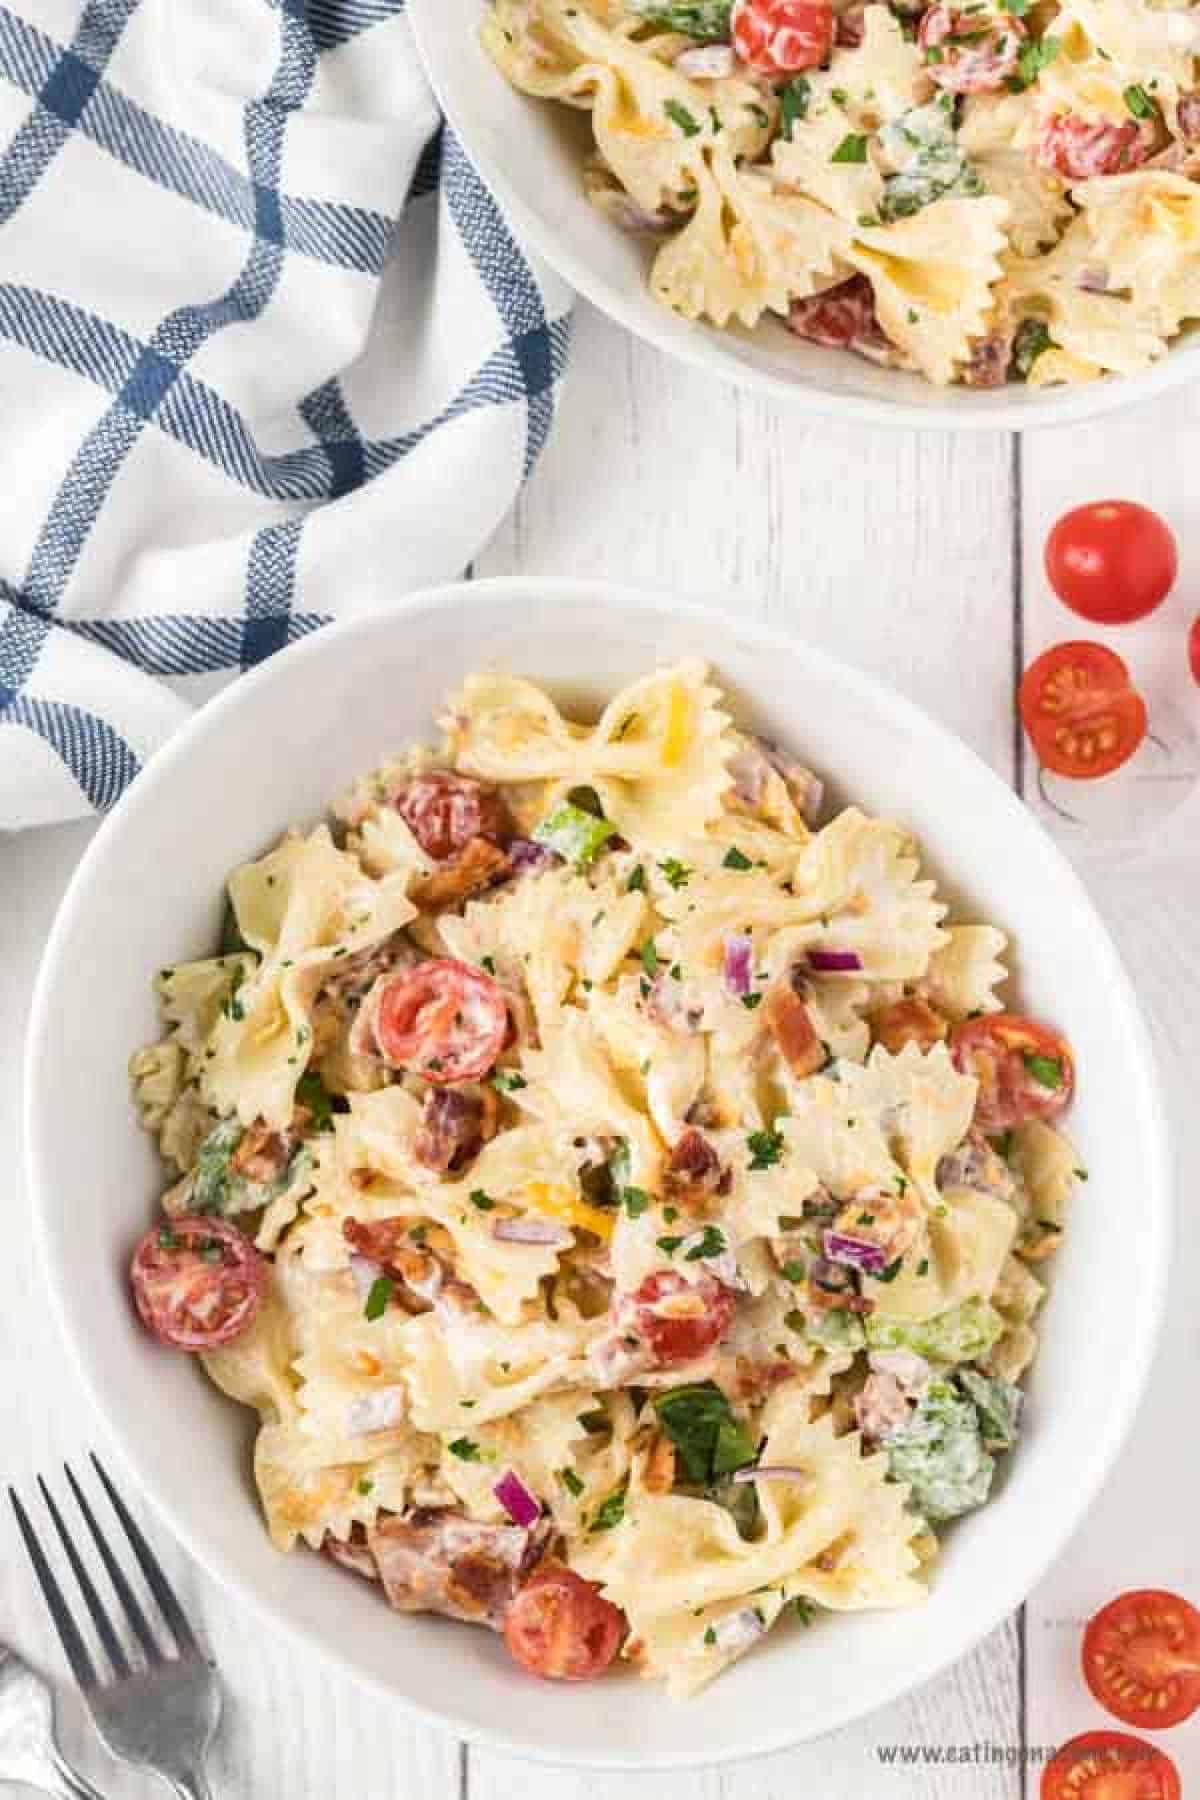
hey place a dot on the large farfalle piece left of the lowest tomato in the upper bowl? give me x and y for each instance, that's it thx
(748, 249)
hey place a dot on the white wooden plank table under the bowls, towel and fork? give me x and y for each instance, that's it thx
(913, 555)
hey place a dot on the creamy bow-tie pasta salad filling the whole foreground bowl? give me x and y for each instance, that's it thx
(618, 1192)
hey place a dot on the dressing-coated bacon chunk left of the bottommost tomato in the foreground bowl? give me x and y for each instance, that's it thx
(440, 1561)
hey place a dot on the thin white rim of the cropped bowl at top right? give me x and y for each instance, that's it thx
(1071, 406)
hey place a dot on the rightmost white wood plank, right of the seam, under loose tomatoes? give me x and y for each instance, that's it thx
(1142, 1533)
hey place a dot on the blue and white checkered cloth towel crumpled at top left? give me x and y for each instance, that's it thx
(267, 355)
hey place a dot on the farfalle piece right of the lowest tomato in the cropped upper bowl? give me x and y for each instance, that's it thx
(933, 278)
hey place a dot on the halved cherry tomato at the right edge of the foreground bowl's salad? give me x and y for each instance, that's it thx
(1023, 1068)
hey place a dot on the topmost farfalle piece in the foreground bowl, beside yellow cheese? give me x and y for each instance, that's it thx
(656, 757)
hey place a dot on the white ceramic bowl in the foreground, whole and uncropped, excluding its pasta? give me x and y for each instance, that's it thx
(274, 750)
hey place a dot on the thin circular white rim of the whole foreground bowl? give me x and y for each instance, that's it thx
(501, 595)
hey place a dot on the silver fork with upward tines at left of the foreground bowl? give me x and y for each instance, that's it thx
(163, 1714)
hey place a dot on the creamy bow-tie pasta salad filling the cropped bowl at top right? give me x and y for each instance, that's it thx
(989, 192)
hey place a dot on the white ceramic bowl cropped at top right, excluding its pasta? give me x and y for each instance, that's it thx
(532, 156)
